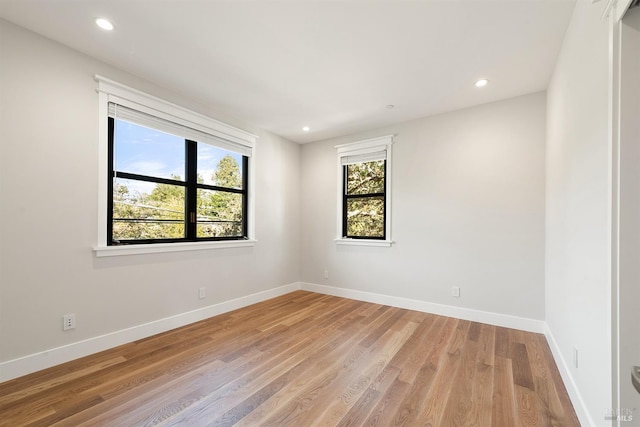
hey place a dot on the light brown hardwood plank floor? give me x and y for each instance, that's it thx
(305, 359)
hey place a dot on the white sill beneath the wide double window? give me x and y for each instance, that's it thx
(104, 251)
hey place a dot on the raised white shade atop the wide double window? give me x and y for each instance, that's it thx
(121, 112)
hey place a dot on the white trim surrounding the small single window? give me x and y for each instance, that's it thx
(360, 148)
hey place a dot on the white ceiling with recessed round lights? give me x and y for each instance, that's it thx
(329, 65)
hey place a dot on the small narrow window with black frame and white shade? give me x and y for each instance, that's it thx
(364, 207)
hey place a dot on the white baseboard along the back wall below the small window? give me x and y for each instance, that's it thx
(504, 320)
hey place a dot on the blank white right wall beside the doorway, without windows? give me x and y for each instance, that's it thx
(578, 202)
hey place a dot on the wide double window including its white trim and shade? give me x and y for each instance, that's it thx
(173, 179)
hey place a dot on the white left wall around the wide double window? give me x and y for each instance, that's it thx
(48, 212)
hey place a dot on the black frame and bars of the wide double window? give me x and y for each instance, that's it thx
(191, 185)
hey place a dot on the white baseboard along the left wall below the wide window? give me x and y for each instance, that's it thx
(55, 356)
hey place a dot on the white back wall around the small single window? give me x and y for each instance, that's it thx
(468, 211)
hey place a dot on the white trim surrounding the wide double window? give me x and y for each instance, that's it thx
(110, 91)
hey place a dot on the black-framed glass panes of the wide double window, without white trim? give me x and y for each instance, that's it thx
(166, 188)
